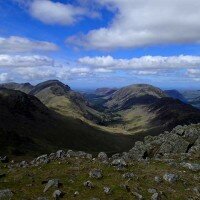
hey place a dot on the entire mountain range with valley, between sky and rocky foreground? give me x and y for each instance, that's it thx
(42, 118)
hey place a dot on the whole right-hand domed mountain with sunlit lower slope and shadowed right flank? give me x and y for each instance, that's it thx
(144, 108)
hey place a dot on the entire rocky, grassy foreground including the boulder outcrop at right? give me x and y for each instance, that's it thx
(161, 167)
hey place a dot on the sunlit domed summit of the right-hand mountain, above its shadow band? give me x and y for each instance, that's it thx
(134, 94)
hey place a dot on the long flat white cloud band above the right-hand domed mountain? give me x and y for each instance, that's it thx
(142, 63)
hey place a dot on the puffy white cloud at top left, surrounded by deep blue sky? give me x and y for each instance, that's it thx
(50, 12)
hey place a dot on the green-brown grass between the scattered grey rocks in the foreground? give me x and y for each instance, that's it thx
(29, 180)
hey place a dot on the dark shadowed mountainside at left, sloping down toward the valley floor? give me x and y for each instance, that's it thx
(27, 127)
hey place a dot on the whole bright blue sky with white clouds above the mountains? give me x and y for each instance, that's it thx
(101, 43)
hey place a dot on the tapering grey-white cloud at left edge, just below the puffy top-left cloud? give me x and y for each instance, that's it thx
(16, 44)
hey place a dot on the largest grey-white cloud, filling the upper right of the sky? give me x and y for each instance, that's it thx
(140, 23)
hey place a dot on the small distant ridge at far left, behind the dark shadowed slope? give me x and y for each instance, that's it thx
(23, 87)
